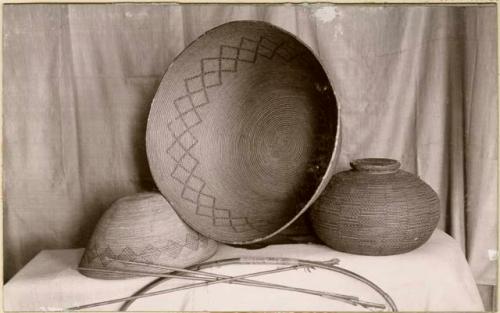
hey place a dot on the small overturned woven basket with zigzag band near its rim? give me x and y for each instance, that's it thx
(143, 228)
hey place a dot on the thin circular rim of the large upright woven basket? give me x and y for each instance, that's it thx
(336, 146)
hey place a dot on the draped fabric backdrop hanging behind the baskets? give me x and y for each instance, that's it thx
(414, 83)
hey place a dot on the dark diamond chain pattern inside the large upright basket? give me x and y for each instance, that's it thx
(194, 189)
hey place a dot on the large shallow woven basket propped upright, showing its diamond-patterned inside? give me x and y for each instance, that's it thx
(243, 131)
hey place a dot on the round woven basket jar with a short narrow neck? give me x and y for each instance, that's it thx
(375, 209)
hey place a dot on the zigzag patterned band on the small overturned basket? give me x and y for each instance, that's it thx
(149, 254)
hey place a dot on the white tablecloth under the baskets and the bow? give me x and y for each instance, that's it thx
(434, 277)
